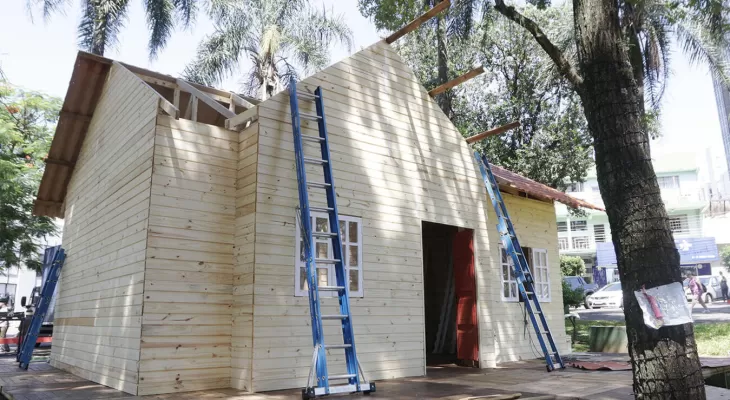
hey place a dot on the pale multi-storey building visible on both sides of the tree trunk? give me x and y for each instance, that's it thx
(686, 200)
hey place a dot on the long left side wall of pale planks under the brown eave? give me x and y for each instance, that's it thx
(99, 306)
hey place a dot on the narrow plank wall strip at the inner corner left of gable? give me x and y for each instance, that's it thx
(243, 274)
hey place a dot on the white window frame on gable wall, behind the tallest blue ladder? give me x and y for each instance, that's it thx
(330, 267)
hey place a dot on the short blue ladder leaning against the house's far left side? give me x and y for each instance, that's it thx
(25, 353)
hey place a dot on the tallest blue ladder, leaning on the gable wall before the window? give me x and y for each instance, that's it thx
(319, 382)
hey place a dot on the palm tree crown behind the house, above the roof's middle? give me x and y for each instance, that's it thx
(278, 36)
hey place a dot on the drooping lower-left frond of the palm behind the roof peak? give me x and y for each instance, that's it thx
(217, 56)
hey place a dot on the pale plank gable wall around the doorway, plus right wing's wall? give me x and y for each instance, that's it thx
(397, 161)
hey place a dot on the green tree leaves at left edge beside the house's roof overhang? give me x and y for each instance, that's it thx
(27, 120)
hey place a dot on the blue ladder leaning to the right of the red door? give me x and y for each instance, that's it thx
(521, 269)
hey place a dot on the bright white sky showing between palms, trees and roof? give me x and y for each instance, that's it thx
(39, 55)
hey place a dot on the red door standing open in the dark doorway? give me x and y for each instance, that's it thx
(467, 333)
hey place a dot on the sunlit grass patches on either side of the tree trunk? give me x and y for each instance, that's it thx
(713, 339)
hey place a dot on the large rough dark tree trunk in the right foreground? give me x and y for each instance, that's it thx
(664, 361)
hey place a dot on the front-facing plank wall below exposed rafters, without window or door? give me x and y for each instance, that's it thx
(188, 296)
